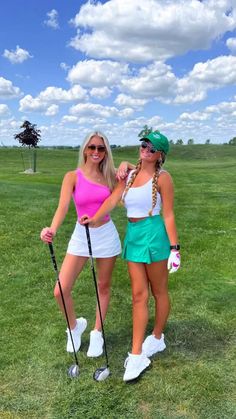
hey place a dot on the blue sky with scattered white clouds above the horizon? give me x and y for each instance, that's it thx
(72, 67)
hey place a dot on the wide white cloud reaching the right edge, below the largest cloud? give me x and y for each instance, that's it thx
(157, 81)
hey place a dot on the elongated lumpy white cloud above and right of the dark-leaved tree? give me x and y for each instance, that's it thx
(49, 95)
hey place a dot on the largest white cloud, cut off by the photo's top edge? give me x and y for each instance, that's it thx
(138, 31)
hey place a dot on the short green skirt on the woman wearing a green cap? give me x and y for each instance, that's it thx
(146, 241)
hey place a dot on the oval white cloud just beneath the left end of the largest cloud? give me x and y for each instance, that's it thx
(97, 73)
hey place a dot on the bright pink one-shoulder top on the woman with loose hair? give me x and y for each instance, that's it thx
(89, 196)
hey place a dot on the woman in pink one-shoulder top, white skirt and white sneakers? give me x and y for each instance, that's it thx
(89, 185)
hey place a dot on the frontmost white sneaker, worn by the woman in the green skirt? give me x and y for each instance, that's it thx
(134, 365)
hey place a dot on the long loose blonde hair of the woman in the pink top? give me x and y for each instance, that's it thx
(107, 165)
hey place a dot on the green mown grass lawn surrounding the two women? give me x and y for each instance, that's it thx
(195, 376)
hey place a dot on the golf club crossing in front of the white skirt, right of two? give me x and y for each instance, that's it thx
(101, 373)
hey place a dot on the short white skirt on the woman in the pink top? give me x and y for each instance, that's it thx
(105, 241)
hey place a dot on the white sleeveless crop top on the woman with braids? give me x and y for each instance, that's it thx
(138, 200)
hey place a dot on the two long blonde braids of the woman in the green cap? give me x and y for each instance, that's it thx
(155, 177)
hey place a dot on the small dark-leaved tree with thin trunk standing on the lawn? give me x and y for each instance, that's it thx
(29, 137)
